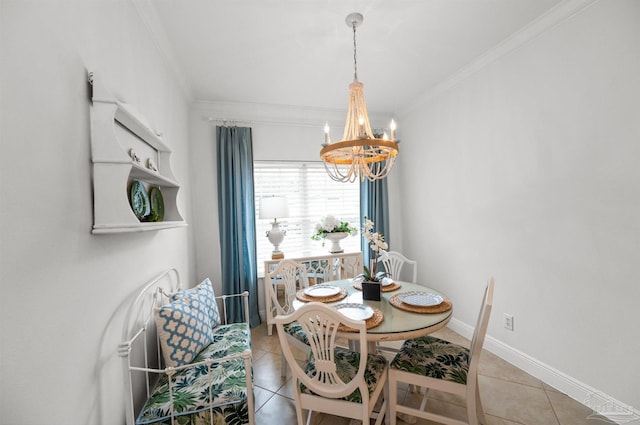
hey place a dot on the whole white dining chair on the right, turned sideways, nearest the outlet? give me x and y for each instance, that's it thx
(433, 363)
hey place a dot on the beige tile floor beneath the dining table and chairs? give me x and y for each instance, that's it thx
(509, 395)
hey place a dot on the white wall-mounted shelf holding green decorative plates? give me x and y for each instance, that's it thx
(117, 130)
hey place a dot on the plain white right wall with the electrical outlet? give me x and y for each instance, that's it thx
(529, 170)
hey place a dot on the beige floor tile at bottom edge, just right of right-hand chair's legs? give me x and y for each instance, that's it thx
(516, 402)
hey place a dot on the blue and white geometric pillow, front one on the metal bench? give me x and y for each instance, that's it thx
(183, 329)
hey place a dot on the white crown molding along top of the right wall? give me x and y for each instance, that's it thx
(554, 16)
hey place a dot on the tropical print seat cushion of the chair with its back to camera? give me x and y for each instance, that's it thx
(347, 363)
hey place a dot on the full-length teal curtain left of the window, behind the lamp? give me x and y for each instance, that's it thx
(236, 219)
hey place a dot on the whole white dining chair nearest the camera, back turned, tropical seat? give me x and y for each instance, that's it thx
(334, 380)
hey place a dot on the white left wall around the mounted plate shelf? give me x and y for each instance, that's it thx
(64, 289)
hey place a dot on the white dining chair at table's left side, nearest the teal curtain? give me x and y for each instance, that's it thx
(292, 277)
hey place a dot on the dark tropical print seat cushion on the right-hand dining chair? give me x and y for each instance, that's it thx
(433, 357)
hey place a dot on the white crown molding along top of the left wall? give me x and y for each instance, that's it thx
(149, 17)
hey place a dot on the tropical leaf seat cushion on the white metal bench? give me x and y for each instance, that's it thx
(191, 399)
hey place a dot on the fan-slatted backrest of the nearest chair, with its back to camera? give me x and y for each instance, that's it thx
(320, 323)
